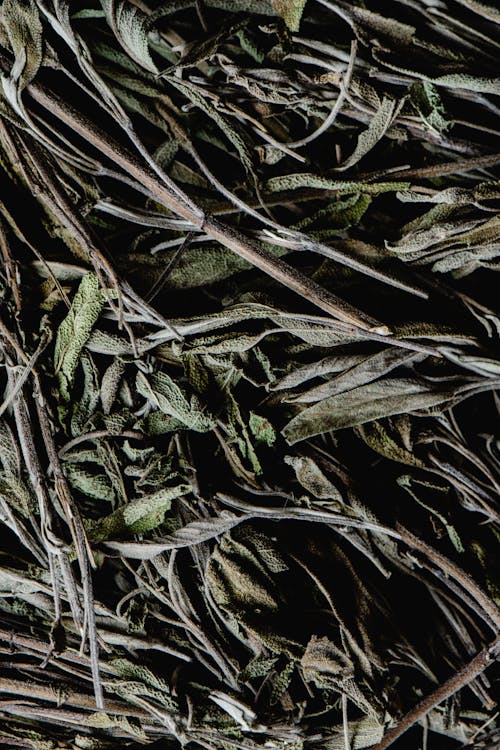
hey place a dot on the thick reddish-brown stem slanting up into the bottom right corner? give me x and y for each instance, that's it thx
(460, 679)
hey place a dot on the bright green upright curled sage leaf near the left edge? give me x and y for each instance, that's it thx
(76, 329)
